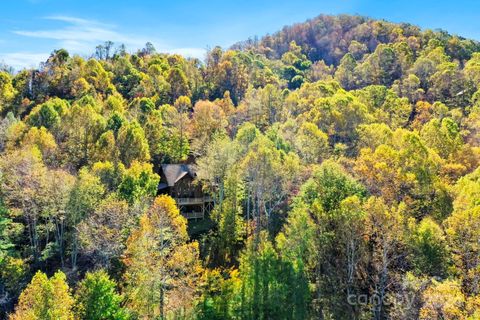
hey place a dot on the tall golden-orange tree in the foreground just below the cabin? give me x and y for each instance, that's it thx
(161, 265)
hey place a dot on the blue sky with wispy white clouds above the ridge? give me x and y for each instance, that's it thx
(31, 29)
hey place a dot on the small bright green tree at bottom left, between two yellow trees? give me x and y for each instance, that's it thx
(96, 298)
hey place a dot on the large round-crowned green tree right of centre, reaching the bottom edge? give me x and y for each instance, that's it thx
(324, 236)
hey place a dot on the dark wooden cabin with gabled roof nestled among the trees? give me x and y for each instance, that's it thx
(178, 181)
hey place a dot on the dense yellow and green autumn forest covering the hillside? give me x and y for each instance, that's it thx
(342, 155)
